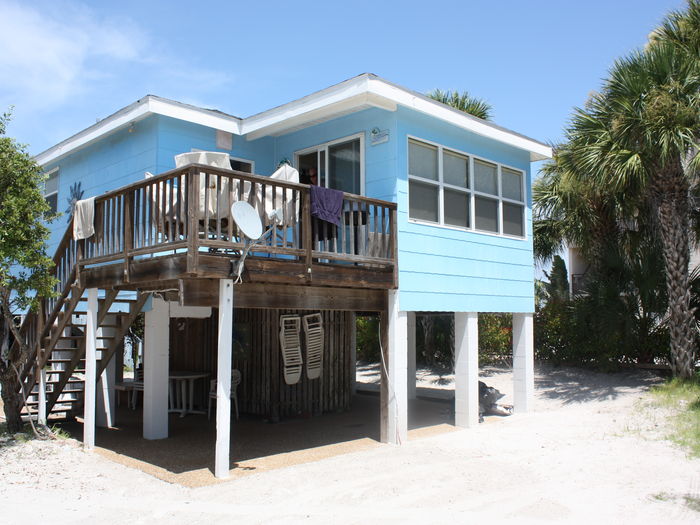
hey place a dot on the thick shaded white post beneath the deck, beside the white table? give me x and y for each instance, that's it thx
(155, 371)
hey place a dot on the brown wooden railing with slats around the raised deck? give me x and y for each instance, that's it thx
(189, 209)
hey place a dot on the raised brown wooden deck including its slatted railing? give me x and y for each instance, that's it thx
(175, 232)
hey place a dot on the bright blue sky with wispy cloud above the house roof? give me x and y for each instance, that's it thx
(65, 64)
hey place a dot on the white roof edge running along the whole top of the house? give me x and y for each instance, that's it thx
(355, 94)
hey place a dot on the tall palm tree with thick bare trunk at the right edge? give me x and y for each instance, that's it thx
(635, 136)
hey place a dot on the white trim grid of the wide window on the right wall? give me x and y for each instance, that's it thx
(473, 193)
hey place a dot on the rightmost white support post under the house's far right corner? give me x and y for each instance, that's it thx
(523, 362)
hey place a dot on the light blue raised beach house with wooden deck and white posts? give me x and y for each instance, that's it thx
(435, 217)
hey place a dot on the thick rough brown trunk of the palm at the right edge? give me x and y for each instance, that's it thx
(670, 201)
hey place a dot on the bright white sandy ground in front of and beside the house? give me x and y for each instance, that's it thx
(590, 452)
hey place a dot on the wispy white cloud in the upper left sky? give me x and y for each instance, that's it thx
(48, 53)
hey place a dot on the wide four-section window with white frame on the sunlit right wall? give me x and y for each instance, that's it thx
(457, 190)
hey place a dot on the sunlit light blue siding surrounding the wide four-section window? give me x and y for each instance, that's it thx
(442, 269)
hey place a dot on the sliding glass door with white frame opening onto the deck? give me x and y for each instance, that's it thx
(337, 165)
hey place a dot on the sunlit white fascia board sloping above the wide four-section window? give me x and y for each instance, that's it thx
(537, 150)
